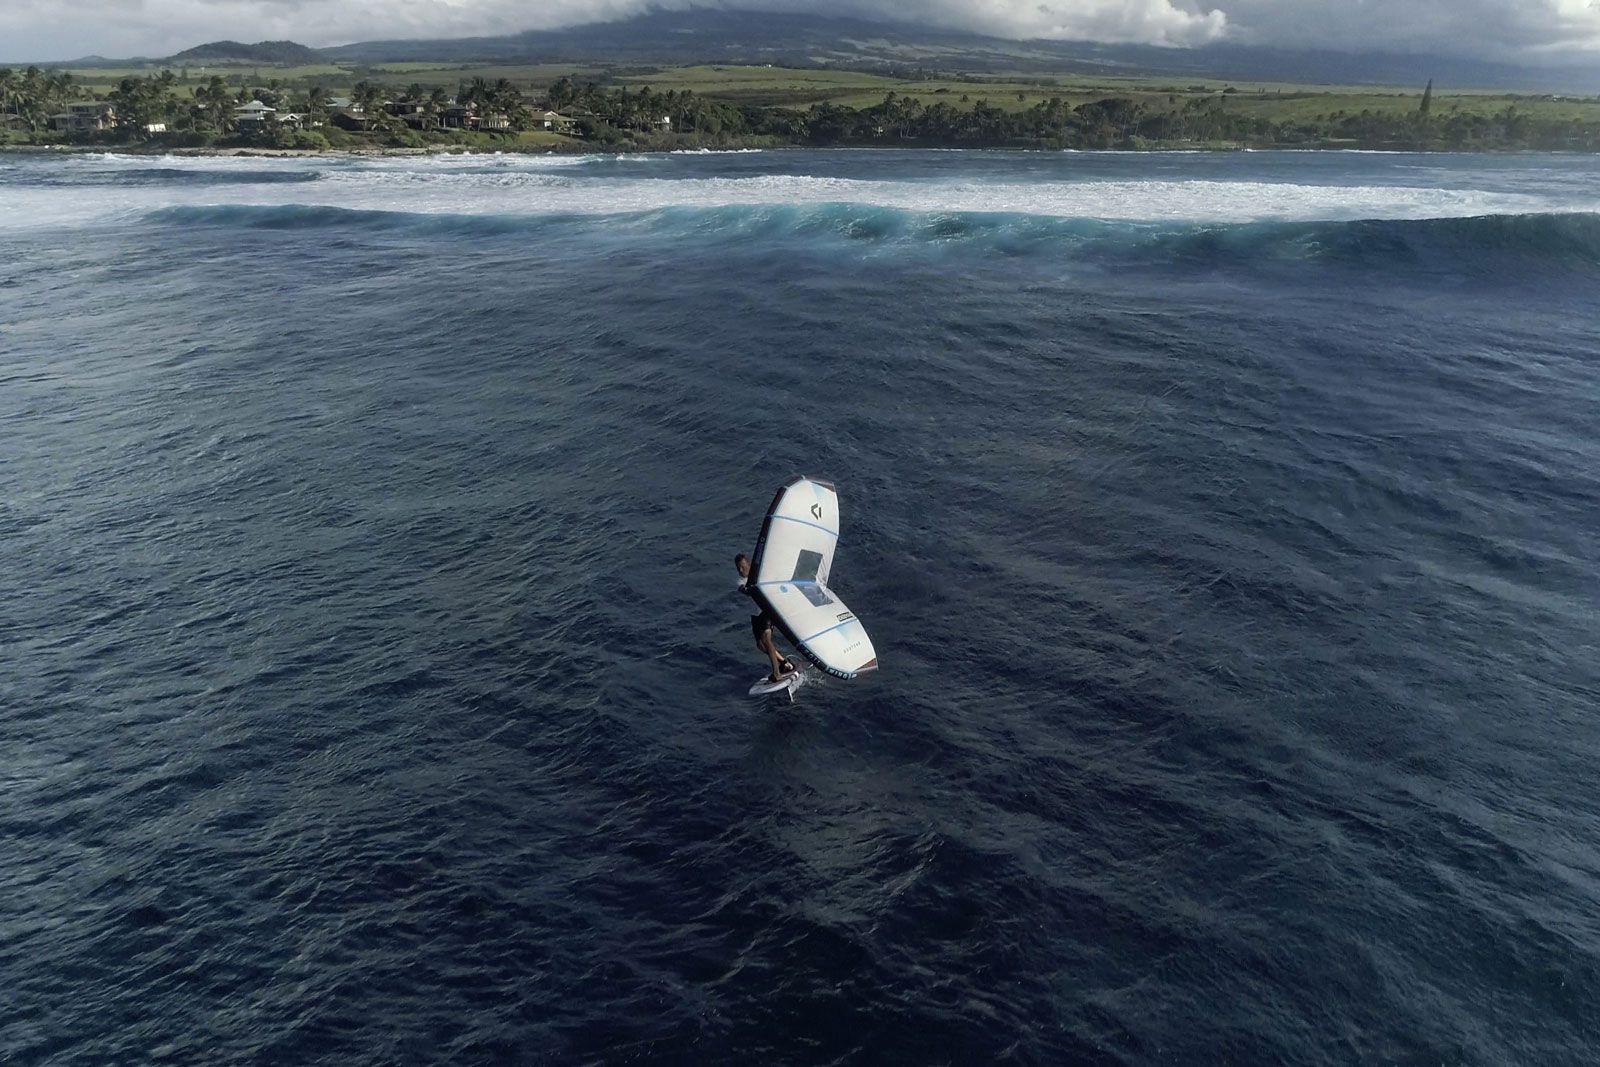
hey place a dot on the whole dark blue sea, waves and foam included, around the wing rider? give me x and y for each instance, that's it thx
(374, 685)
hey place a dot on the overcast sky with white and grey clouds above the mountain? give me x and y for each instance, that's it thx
(1519, 31)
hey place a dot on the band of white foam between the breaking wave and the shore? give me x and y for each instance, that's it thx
(553, 185)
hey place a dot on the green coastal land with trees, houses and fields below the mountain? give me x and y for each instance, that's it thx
(660, 108)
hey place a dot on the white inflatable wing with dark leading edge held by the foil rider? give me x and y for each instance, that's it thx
(790, 578)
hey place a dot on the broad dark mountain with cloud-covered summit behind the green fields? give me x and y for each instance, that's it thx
(786, 39)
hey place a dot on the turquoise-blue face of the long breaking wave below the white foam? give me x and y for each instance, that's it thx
(1487, 246)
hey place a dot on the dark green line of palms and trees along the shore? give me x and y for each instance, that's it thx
(642, 118)
